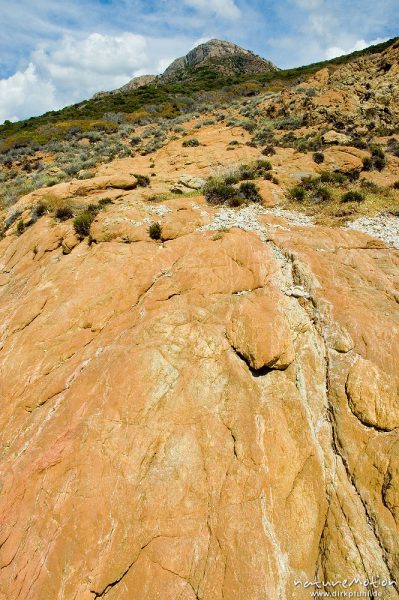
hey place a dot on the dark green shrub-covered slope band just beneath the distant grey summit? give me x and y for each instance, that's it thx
(160, 99)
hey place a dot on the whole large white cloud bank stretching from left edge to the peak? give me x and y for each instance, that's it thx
(74, 68)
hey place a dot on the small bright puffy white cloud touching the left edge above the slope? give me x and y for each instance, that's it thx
(25, 93)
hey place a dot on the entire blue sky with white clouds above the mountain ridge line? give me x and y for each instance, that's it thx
(57, 52)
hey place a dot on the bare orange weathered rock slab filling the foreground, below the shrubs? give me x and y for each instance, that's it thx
(210, 417)
